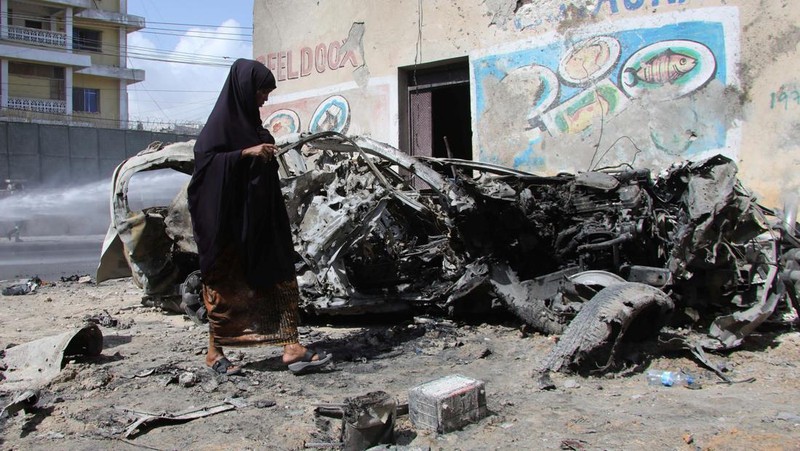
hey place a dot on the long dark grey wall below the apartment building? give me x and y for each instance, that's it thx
(49, 155)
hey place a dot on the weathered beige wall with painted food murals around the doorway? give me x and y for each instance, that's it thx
(557, 85)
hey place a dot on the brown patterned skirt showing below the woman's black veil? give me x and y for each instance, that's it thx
(239, 315)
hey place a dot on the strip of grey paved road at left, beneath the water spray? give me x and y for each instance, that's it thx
(50, 257)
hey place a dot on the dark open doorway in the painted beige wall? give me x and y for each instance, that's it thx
(439, 111)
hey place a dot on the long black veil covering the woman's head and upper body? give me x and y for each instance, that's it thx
(236, 202)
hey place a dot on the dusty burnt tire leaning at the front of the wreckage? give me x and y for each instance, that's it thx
(633, 309)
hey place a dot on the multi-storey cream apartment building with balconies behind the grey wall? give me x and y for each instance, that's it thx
(64, 61)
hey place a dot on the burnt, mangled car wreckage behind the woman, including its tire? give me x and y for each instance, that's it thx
(596, 256)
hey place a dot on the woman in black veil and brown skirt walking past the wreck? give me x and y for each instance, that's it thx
(242, 229)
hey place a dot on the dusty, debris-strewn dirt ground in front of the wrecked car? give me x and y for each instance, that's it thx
(92, 401)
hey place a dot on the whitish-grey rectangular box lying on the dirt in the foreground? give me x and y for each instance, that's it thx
(447, 404)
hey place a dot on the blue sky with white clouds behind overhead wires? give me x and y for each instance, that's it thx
(200, 31)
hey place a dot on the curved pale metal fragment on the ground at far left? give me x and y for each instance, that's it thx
(36, 363)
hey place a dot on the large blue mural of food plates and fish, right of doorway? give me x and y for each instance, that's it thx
(610, 78)
